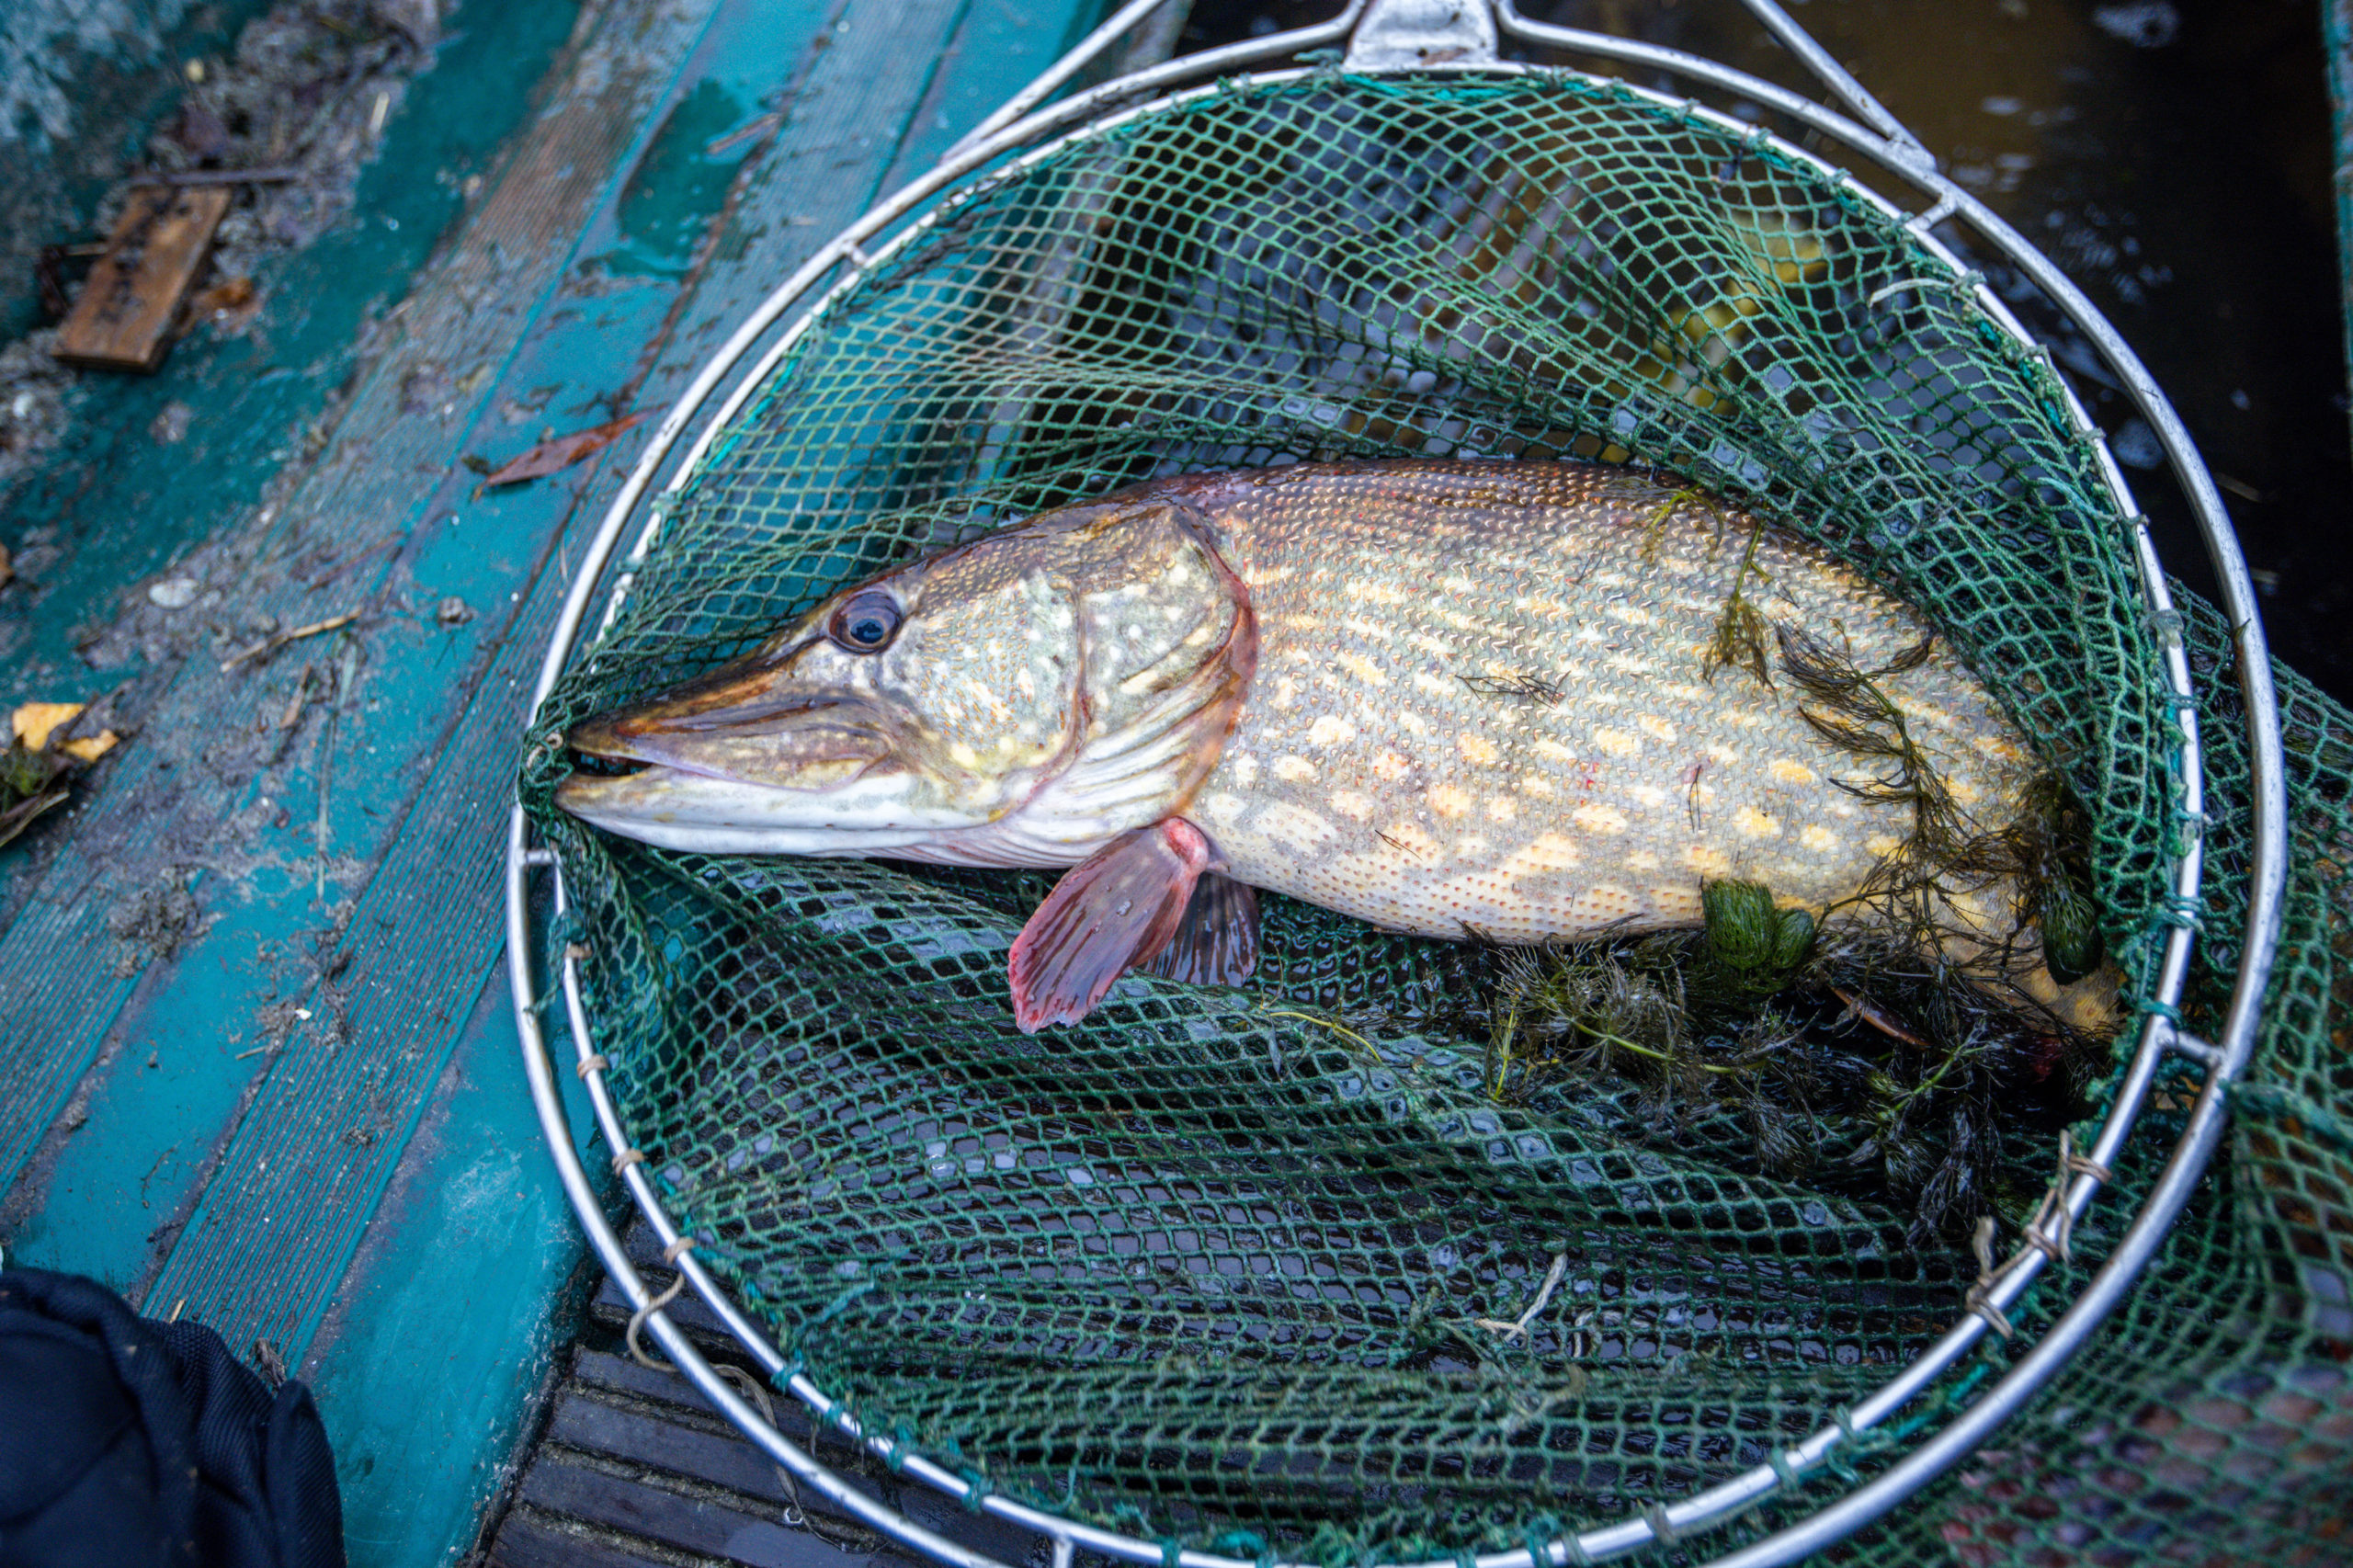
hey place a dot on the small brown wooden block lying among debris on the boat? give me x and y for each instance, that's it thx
(124, 319)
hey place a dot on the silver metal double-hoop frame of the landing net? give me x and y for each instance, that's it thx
(1448, 36)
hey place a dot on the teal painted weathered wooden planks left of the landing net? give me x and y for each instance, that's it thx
(255, 1049)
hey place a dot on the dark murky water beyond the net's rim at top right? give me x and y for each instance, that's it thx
(2173, 159)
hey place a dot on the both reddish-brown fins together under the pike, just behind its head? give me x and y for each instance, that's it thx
(1145, 898)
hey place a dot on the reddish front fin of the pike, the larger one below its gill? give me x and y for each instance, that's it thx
(1109, 915)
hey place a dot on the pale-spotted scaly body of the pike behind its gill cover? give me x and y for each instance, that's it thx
(1484, 705)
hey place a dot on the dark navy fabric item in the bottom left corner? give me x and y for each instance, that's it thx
(147, 1444)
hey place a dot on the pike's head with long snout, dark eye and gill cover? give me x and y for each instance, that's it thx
(1018, 700)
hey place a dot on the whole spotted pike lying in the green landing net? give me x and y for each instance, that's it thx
(1448, 698)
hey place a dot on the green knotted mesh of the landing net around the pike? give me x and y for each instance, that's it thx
(1213, 1265)
